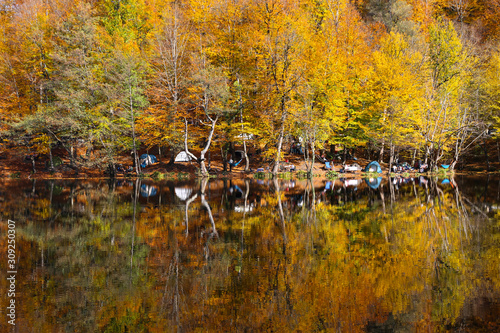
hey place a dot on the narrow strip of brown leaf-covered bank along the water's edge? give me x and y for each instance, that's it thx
(15, 167)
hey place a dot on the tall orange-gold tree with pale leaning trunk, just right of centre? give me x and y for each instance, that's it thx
(277, 47)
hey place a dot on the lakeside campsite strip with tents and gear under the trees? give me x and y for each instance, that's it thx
(17, 165)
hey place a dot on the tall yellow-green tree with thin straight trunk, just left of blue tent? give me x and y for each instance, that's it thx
(125, 28)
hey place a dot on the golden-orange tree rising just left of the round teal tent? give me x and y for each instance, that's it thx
(348, 76)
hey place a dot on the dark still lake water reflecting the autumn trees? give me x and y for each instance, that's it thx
(246, 256)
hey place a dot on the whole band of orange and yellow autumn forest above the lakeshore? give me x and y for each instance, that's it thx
(112, 77)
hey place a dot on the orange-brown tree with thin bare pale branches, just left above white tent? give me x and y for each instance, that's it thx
(163, 123)
